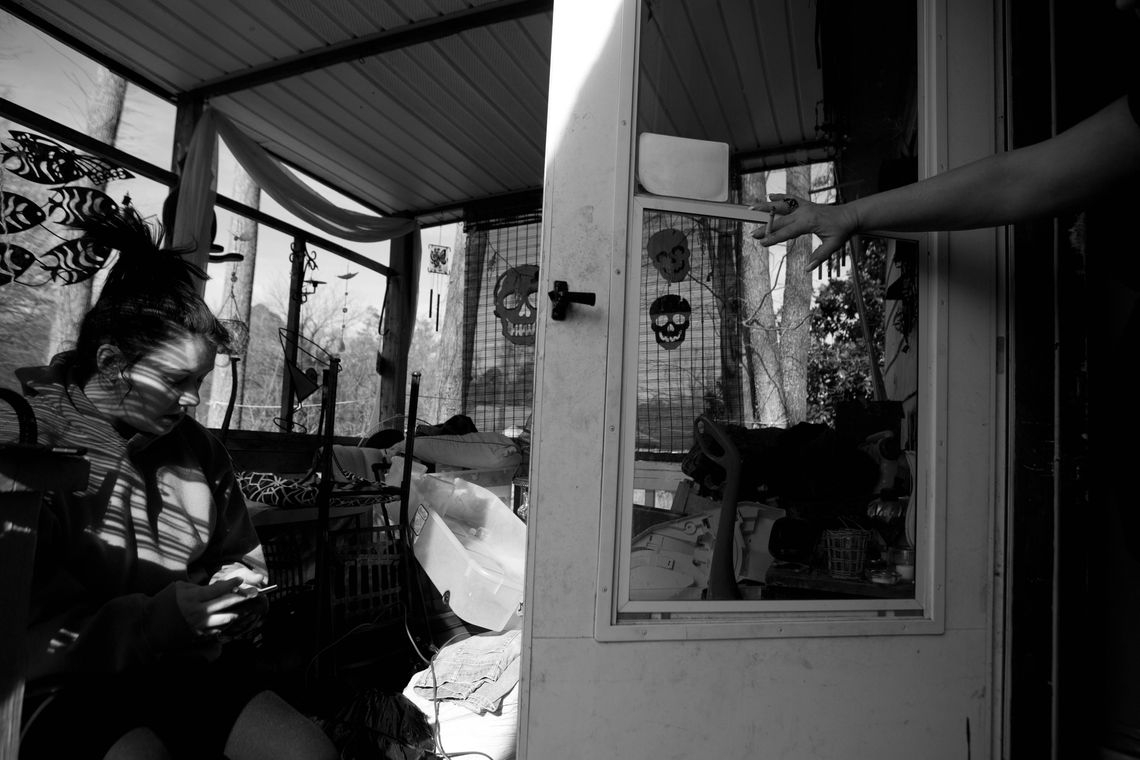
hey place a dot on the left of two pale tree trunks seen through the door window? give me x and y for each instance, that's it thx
(762, 342)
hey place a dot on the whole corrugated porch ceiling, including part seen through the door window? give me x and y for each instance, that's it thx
(429, 108)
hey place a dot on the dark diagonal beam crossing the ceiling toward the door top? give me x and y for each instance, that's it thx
(372, 45)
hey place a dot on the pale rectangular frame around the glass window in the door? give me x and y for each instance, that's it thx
(617, 617)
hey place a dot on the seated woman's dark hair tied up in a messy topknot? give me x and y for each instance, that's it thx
(149, 298)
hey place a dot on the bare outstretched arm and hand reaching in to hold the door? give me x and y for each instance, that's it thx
(1039, 181)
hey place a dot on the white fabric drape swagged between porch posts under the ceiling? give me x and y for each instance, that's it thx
(199, 184)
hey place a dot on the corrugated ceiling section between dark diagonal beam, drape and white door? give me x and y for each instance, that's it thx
(385, 130)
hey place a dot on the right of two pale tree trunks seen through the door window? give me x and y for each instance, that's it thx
(796, 313)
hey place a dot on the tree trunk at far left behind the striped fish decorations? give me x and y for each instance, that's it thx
(104, 112)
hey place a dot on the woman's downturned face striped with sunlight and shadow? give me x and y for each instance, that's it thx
(164, 385)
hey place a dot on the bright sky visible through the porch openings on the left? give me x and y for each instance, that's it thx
(45, 76)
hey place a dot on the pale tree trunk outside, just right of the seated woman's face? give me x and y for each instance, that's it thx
(238, 304)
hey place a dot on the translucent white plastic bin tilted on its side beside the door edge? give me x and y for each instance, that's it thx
(473, 547)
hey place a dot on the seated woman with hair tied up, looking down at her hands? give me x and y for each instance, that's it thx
(144, 579)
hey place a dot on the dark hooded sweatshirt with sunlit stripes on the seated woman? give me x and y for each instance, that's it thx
(157, 510)
